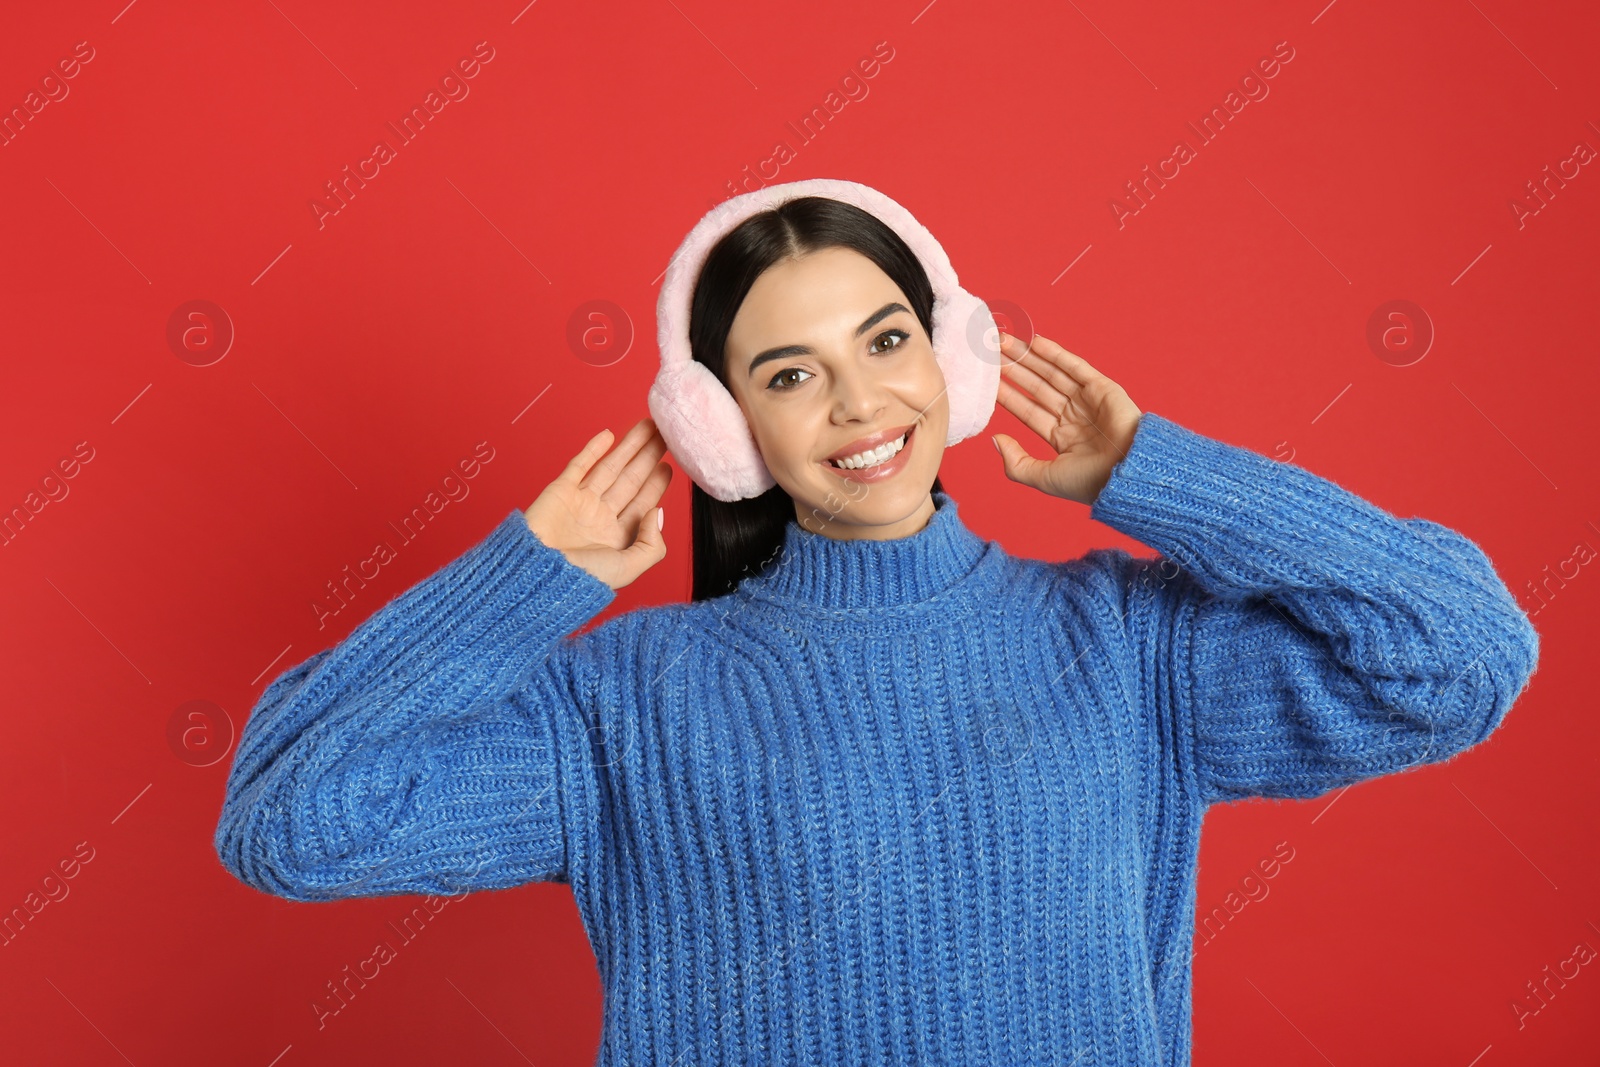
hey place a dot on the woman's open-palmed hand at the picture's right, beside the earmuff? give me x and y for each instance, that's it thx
(1082, 415)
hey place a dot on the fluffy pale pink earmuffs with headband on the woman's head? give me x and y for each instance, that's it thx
(700, 420)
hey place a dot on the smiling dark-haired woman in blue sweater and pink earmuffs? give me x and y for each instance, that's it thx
(881, 793)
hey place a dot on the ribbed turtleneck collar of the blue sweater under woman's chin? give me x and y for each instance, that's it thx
(822, 572)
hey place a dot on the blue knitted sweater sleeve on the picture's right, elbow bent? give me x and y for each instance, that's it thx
(1313, 639)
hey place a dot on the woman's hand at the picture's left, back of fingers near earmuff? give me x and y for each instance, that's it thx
(602, 516)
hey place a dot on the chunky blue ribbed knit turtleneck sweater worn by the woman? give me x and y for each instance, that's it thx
(889, 802)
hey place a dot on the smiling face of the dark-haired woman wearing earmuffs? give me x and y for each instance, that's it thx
(828, 361)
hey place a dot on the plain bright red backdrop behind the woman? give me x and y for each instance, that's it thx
(375, 351)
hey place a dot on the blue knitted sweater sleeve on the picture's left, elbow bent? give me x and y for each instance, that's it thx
(434, 748)
